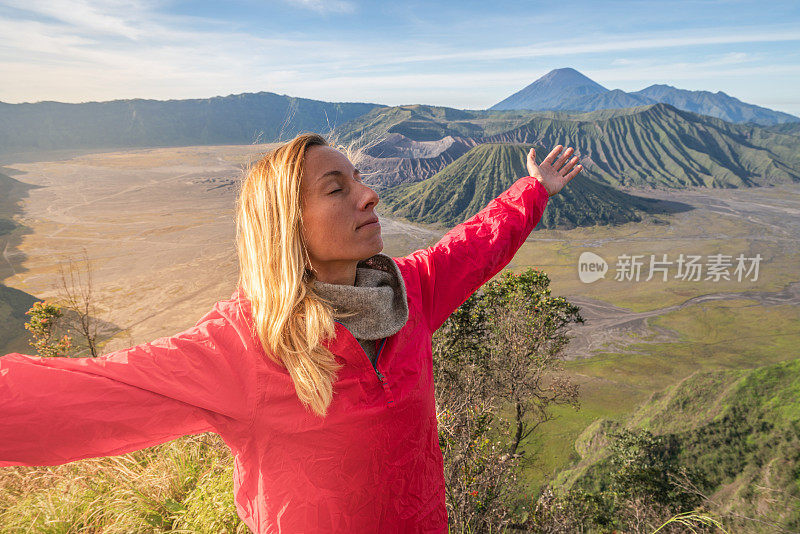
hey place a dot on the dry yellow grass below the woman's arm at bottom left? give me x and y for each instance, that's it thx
(178, 486)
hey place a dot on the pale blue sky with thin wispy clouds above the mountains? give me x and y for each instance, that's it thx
(464, 54)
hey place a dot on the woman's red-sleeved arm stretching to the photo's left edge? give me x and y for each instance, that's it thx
(58, 410)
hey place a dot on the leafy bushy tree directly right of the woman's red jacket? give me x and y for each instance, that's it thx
(499, 350)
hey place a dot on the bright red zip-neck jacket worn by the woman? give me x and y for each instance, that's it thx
(373, 465)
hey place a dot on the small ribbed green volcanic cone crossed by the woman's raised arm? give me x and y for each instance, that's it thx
(469, 183)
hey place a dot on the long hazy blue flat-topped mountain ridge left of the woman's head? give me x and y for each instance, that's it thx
(235, 119)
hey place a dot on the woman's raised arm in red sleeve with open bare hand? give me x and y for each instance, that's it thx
(470, 254)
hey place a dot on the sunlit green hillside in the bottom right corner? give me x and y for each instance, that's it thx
(739, 430)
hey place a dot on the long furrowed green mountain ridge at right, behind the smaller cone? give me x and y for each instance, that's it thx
(661, 146)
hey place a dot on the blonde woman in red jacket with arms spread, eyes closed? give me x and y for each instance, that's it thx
(316, 372)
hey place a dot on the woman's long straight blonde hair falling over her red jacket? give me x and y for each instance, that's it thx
(289, 318)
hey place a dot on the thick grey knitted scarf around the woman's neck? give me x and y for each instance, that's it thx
(377, 300)
